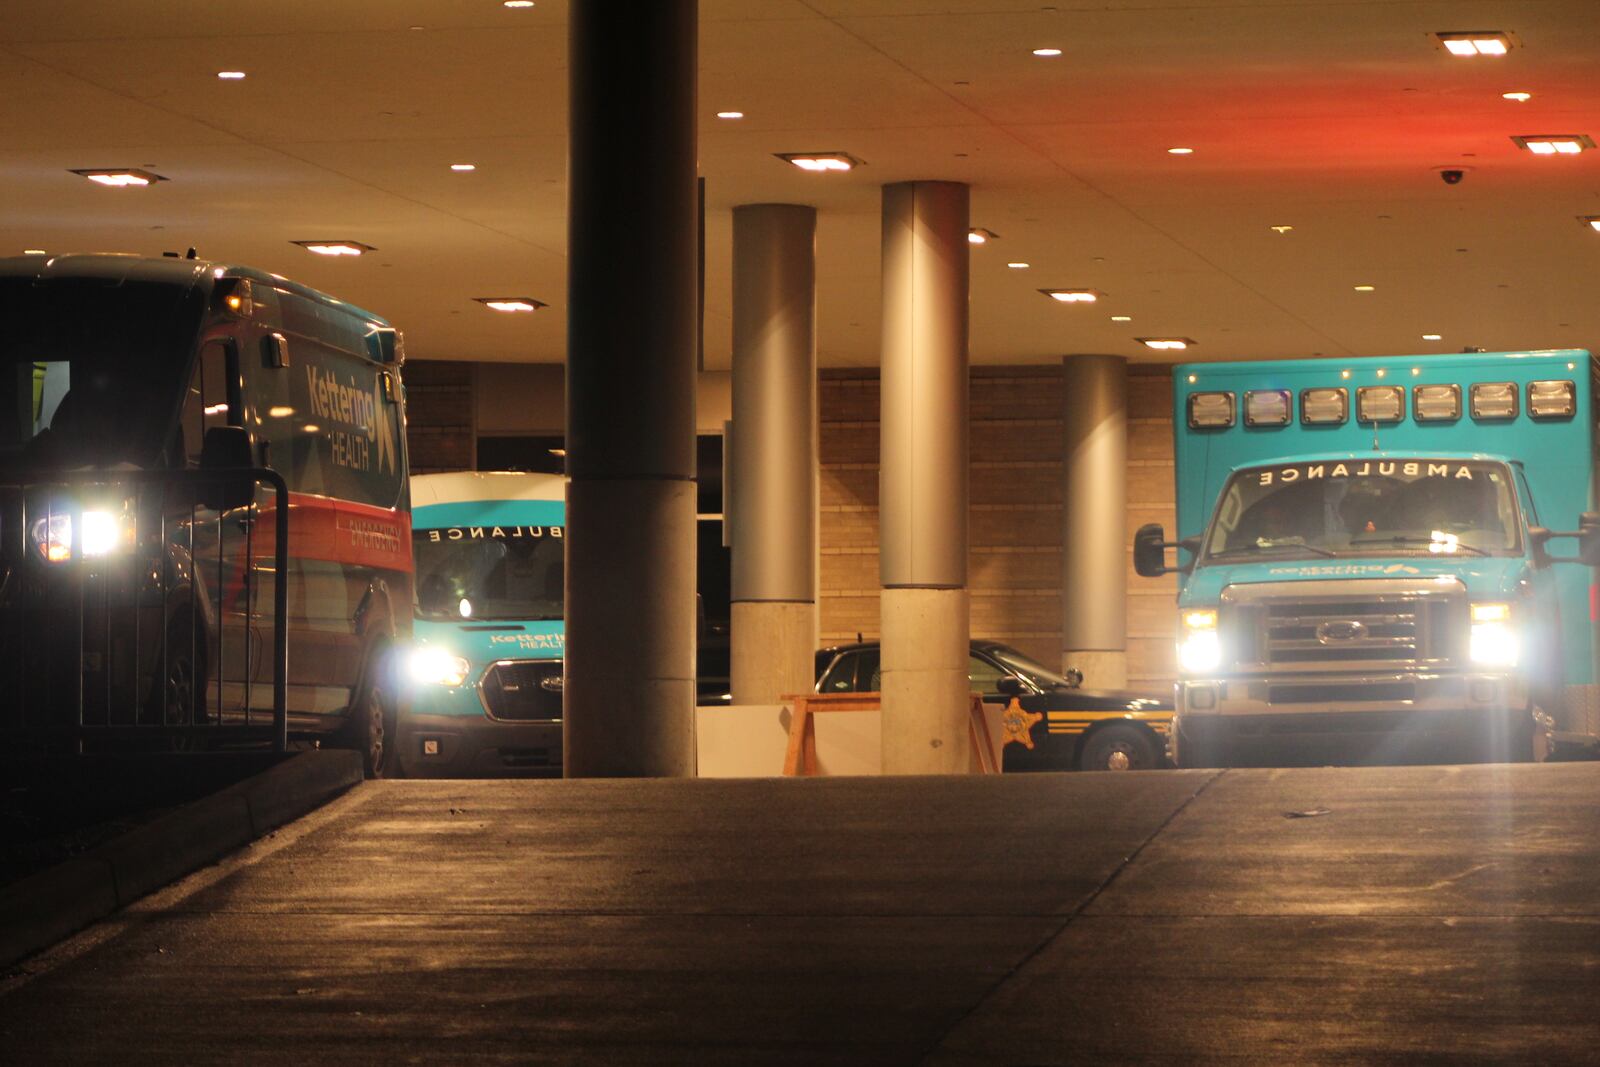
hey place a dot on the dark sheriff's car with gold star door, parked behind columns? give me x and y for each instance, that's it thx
(1092, 730)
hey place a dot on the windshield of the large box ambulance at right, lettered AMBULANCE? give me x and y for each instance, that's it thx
(1362, 508)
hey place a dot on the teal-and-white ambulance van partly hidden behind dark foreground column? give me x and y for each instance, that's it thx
(486, 666)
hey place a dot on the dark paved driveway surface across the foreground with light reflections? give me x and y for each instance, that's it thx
(1444, 914)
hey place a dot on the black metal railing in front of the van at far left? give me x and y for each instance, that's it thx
(132, 610)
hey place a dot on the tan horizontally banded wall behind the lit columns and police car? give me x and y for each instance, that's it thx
(1015, 522)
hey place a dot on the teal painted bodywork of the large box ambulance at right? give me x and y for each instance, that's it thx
(1554, 455)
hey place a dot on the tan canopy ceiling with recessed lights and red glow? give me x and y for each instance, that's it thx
(1327, 116)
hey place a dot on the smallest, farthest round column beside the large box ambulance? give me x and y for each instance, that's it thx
(1094, 535)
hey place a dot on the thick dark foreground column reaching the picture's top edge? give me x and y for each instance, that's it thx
(630, 700)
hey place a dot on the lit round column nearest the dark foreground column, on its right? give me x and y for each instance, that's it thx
(774, 452)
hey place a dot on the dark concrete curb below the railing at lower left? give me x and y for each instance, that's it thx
(55, 905)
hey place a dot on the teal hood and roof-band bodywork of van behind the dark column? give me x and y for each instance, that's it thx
(482, 644)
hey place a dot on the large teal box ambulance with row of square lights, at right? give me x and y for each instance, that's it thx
(1369, 557)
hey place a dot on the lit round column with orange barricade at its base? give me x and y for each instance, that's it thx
(922, 484)
